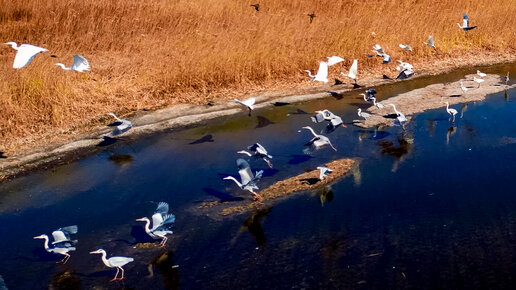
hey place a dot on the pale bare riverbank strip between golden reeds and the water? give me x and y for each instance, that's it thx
(64, 148)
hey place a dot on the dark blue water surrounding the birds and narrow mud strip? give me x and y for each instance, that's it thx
(432, 206)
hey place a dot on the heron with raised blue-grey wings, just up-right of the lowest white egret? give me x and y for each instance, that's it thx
(161, 221)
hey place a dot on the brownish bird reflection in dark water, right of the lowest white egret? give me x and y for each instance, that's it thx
(166, 267)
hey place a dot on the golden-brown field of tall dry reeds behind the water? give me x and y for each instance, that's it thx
(155, 53)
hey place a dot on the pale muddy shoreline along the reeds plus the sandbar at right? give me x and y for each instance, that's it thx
(175, 119)
